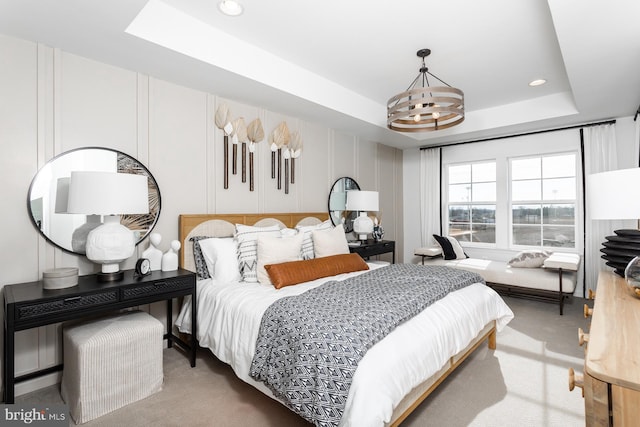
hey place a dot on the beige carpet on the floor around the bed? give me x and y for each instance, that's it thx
(522, 383)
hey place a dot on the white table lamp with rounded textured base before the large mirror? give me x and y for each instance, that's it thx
(109, 194)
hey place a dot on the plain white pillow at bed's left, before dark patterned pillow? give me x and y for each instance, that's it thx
(220, 255)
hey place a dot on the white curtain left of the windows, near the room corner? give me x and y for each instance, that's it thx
(429, 195)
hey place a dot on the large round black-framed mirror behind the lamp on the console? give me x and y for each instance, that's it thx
(47, 198)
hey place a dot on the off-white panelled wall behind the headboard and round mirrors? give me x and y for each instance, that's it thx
(52, 101)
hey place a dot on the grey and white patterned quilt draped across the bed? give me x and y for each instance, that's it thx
(309, 345)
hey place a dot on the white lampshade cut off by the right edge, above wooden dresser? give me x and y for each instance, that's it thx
(614, 194)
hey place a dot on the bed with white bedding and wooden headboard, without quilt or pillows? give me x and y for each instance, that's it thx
(392, 378)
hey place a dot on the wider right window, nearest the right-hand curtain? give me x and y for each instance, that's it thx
(543, 201)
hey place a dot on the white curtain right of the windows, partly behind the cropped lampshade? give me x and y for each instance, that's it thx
(600, 155)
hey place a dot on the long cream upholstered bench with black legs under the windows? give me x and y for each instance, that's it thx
(554, 281)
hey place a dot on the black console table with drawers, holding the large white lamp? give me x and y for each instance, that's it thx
(29, 305)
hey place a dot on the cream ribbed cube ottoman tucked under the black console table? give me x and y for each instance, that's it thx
(111, 362)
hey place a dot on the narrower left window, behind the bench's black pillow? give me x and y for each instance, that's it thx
(472, 202)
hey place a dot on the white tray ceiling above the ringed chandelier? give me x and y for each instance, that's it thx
(337, 62)
